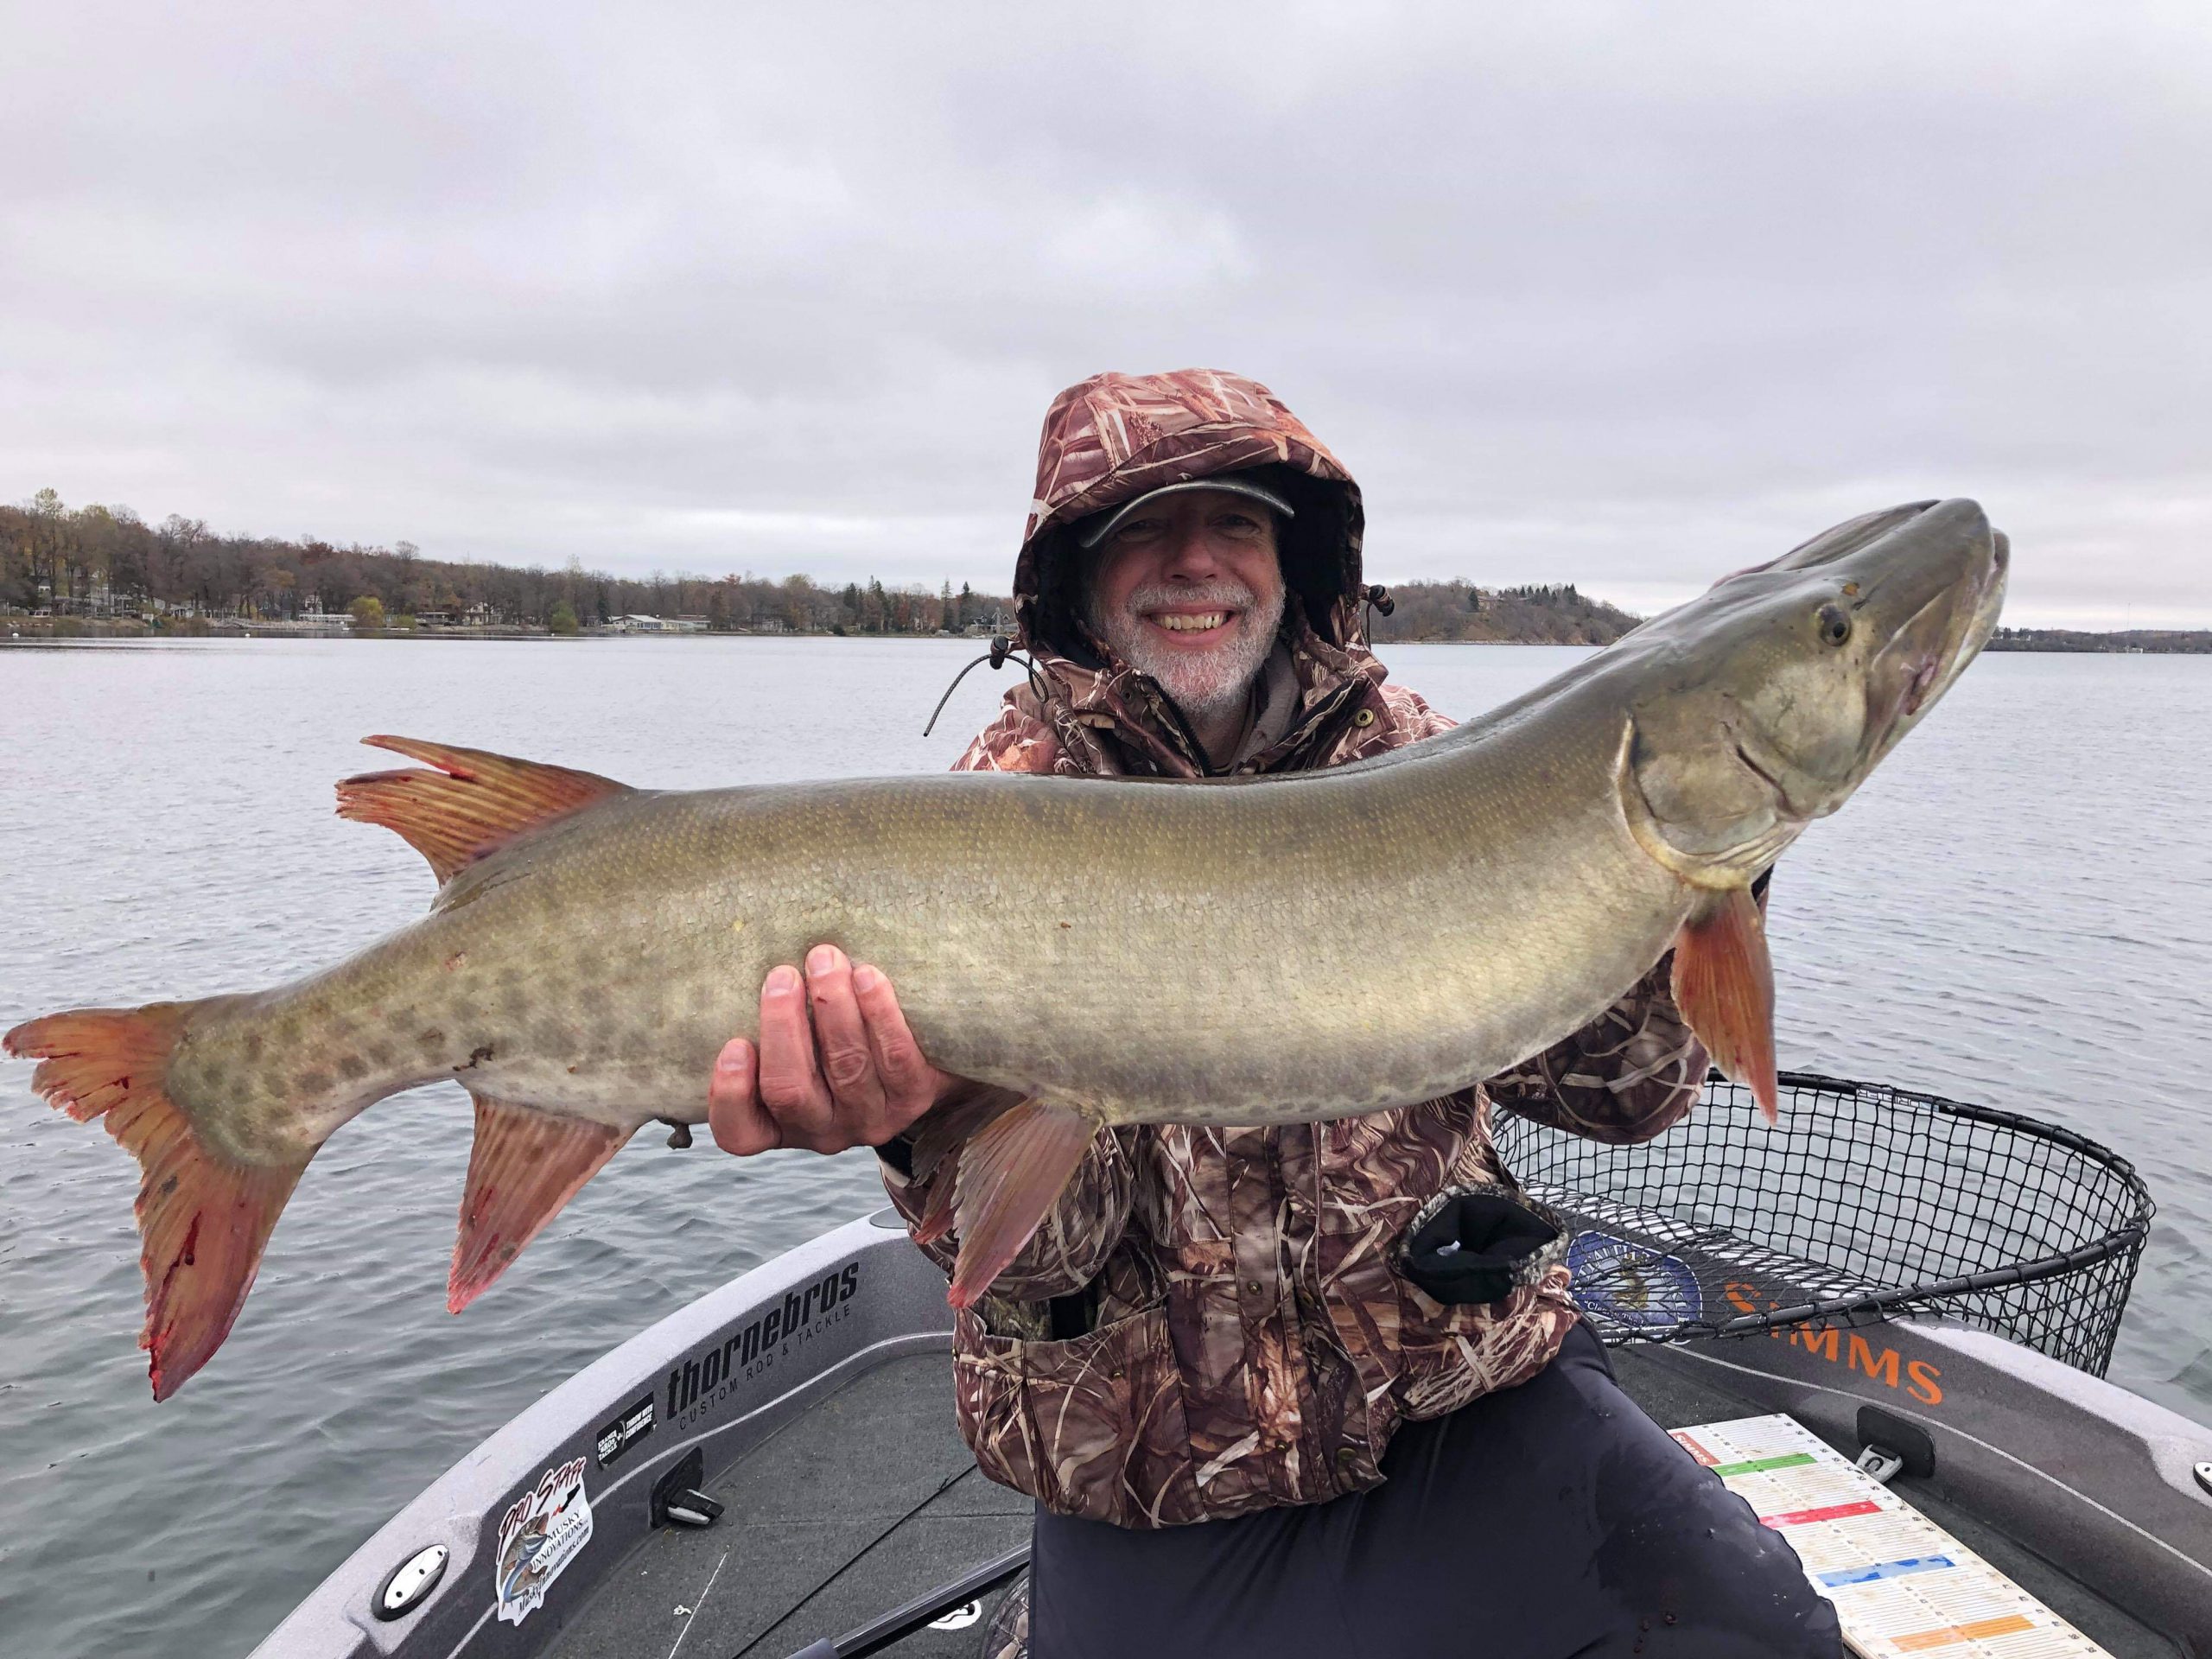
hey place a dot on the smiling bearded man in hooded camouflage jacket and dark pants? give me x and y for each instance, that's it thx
(1218, 1364)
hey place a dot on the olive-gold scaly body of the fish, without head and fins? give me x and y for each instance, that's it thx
(985, 895)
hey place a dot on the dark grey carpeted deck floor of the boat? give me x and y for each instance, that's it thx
(870, 1499)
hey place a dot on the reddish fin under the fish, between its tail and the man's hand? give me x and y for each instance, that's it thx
(523, 1169)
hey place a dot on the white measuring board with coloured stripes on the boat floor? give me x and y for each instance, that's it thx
(1903, 1587)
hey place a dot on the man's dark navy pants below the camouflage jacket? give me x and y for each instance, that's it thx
(1541, 1523)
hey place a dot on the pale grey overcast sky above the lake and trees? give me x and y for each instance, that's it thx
(1580, 293)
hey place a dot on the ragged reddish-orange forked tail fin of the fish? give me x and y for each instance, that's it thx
(202, 1220)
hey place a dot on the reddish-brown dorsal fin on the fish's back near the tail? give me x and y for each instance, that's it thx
(472, 804)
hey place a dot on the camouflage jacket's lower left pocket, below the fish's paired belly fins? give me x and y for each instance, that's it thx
(1092, 1426)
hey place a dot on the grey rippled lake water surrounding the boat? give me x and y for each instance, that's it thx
(2016, 910)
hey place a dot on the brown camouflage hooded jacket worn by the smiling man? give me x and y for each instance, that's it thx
(1211, 1319)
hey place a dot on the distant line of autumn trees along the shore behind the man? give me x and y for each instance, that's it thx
(109, 563)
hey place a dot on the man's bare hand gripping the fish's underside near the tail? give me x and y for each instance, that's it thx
(851, 1076)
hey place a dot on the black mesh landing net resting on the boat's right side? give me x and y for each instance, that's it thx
(1866, 1202)
